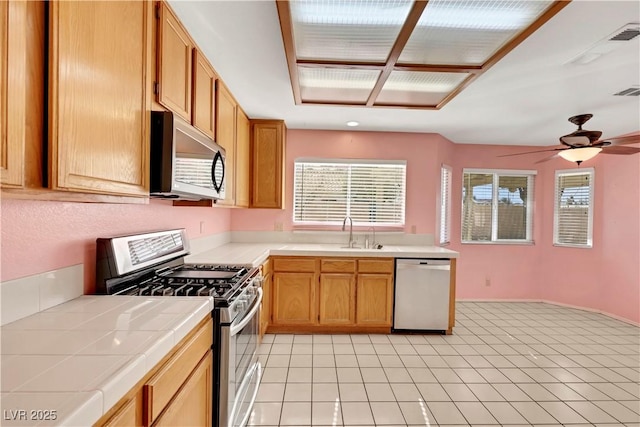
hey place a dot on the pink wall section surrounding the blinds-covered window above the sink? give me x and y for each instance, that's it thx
(419, 150)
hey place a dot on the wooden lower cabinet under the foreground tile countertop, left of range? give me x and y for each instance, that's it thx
(178, 391)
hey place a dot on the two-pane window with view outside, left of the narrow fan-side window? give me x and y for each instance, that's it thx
(497, 206)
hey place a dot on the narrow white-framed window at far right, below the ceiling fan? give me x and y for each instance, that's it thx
(573, 209)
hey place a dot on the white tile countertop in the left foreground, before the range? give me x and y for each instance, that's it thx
(73, 362)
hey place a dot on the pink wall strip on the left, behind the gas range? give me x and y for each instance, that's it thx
(42, 236)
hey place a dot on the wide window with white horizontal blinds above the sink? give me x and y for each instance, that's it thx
(370, 192)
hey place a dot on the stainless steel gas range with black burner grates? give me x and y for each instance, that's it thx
(153, 264)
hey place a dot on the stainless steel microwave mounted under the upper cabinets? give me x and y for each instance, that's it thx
(185, 163)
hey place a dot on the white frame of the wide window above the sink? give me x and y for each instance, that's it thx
(357, 162)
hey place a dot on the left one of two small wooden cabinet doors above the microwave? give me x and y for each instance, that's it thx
(173, 63)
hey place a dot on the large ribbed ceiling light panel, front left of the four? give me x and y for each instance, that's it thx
(362, 30)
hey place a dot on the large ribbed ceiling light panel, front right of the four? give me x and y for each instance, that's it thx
(468, 32)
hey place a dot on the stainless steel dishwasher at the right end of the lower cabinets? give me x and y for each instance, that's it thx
(421, 295)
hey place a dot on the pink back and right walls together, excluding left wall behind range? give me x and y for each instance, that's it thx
(606, 277)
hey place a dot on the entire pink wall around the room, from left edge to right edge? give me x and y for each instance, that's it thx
(40, 236)
